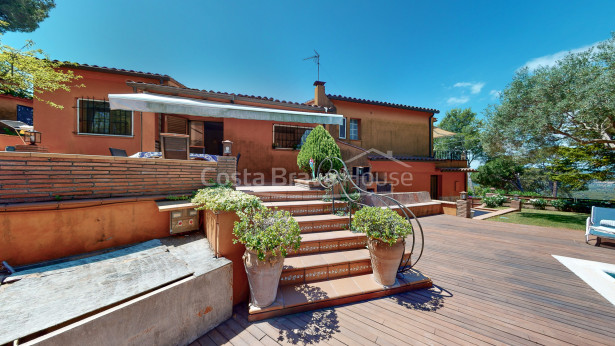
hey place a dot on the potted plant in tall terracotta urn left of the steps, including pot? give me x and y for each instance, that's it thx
(267, 235)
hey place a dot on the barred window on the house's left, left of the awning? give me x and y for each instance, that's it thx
(95, 117)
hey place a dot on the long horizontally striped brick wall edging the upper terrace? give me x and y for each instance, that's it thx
(31, 177)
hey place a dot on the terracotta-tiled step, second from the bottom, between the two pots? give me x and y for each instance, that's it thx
(326, 266)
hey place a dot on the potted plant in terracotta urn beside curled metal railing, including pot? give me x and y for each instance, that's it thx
(386, 234)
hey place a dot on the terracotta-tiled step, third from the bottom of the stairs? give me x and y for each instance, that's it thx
(312, 243)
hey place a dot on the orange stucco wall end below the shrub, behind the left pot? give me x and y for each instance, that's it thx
(219, 230)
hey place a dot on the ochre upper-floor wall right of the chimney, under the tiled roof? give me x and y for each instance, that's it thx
(404, 132)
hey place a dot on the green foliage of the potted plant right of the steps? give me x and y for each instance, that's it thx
(381, 223)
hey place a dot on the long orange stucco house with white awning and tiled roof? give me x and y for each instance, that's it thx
(128, 110)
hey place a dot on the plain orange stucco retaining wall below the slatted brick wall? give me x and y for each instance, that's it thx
(39, 235)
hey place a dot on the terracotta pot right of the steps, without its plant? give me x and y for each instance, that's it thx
(385, 259)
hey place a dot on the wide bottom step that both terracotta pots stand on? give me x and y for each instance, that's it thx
(316, 295)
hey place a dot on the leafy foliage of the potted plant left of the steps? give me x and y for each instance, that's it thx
(267, 231)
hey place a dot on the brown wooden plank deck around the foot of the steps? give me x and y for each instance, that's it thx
(495, 283)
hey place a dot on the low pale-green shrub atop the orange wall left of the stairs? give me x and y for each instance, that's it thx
(222, 198)
